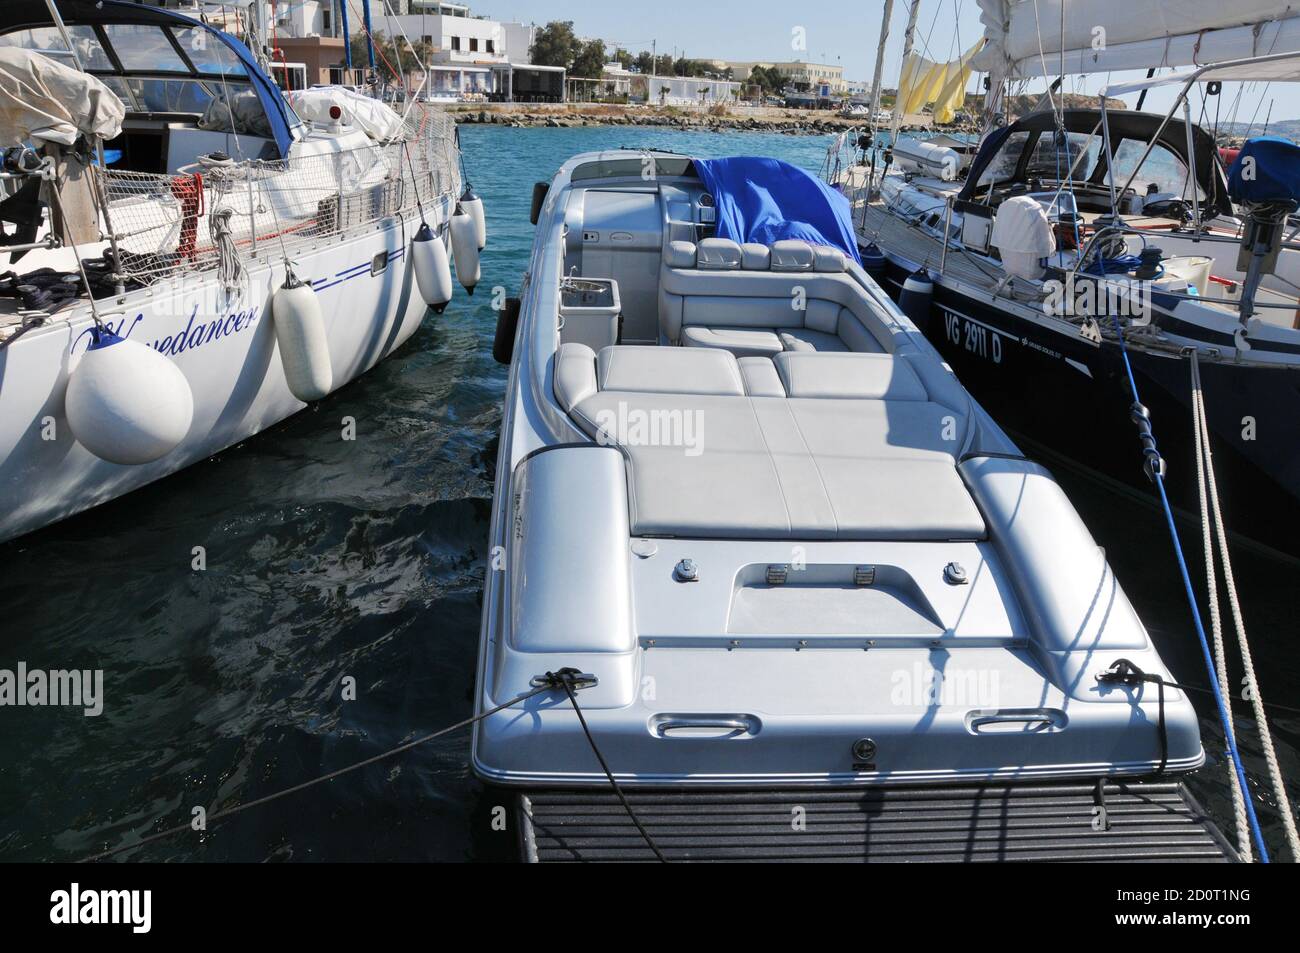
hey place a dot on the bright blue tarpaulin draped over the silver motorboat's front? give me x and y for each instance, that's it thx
(765, 201)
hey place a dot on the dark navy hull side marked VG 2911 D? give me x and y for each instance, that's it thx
(1068, 397)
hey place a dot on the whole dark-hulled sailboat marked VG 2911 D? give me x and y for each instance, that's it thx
(1011, 255)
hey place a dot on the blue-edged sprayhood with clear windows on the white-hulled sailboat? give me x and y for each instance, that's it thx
(155, 60)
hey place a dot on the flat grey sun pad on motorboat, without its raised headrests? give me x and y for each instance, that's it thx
(762, 469)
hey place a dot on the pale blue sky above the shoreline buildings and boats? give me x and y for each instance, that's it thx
(835, 32)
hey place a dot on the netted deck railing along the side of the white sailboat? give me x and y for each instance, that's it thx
(170, 224)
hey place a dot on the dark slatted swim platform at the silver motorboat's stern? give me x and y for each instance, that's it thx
(1146, 822)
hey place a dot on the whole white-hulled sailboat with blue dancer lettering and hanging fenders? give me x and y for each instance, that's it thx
(190, 259)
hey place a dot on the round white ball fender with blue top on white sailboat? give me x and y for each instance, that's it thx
(127, 404)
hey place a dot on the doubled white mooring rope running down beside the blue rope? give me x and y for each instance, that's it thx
(1210, 491)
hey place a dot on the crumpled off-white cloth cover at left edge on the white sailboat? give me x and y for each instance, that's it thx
(42, 99)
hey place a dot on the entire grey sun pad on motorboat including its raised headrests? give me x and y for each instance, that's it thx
(720, 449)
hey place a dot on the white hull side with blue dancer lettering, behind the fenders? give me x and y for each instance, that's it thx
(226, 346)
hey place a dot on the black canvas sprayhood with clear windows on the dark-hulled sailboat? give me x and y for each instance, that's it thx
(1136, 127)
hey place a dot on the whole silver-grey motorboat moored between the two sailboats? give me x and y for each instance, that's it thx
(757, 556)
